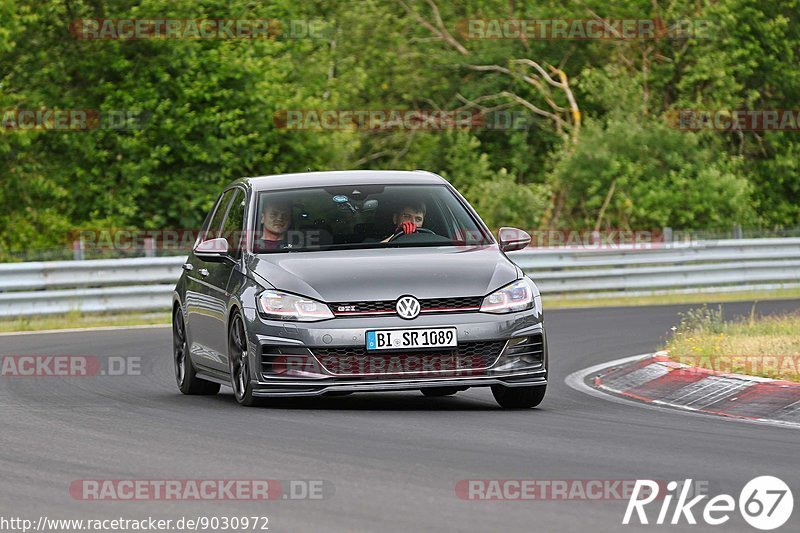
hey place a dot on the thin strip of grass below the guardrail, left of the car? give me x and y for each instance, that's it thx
(77, 319)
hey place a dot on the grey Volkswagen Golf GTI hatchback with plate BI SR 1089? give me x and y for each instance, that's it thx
(329, 283)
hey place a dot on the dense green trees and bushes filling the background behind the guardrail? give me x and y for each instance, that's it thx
(596, 146)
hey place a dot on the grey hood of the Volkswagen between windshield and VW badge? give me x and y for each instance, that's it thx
(387, 273)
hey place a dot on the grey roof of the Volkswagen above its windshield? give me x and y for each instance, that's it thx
(343, 177)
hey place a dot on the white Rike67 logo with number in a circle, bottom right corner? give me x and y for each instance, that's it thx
(765, 503)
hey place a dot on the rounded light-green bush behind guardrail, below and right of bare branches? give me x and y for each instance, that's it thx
(649, 176)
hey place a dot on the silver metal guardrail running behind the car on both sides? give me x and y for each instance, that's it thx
(145, 284)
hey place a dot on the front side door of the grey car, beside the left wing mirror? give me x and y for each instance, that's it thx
(206, 301)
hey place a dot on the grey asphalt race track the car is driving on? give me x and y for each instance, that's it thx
(393, 459)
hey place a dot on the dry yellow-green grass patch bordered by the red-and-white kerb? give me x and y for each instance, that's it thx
(758, 346)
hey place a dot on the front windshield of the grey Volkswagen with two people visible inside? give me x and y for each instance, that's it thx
(363, 216)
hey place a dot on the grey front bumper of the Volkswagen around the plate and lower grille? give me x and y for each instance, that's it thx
(474, 327)
